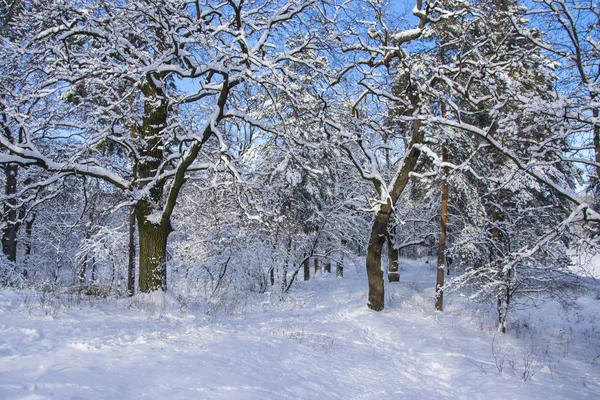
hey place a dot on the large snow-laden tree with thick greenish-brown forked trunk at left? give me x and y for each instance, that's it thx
(163, 84)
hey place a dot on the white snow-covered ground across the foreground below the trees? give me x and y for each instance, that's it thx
(319, 342)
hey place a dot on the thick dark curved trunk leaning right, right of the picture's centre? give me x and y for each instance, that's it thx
(382, 217)
